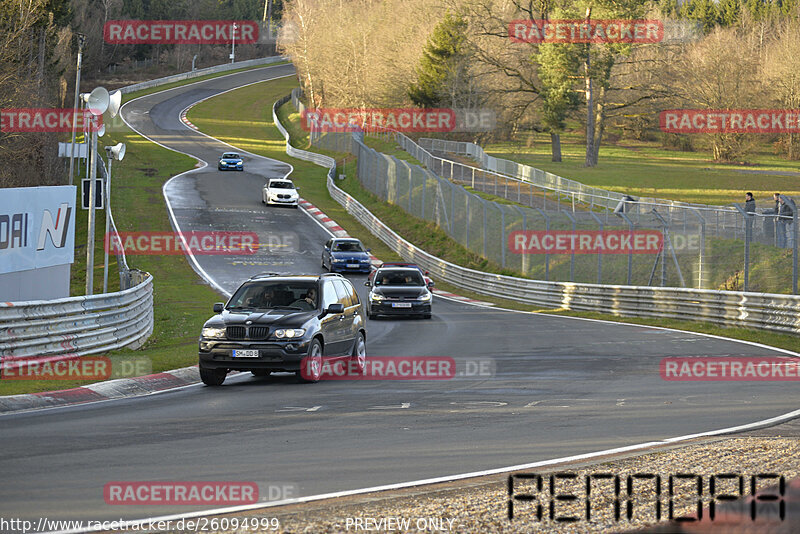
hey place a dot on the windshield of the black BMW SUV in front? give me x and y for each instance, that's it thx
(263, 295)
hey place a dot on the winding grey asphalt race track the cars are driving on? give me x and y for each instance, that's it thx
(561, 386)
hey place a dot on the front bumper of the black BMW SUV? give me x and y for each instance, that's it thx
(272, 355)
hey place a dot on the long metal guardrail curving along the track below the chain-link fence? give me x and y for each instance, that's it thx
(762, 311)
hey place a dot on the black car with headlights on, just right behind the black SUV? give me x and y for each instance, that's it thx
(399, 291)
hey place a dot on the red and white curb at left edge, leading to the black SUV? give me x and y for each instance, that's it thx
(101, 391)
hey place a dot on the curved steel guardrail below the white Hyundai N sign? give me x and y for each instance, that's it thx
(77, 326)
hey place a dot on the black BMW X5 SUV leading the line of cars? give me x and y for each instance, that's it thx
(276, 323)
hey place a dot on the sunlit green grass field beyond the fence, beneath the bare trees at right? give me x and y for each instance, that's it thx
(646, 169)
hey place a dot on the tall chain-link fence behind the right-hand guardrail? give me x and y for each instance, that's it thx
(496, 216)
